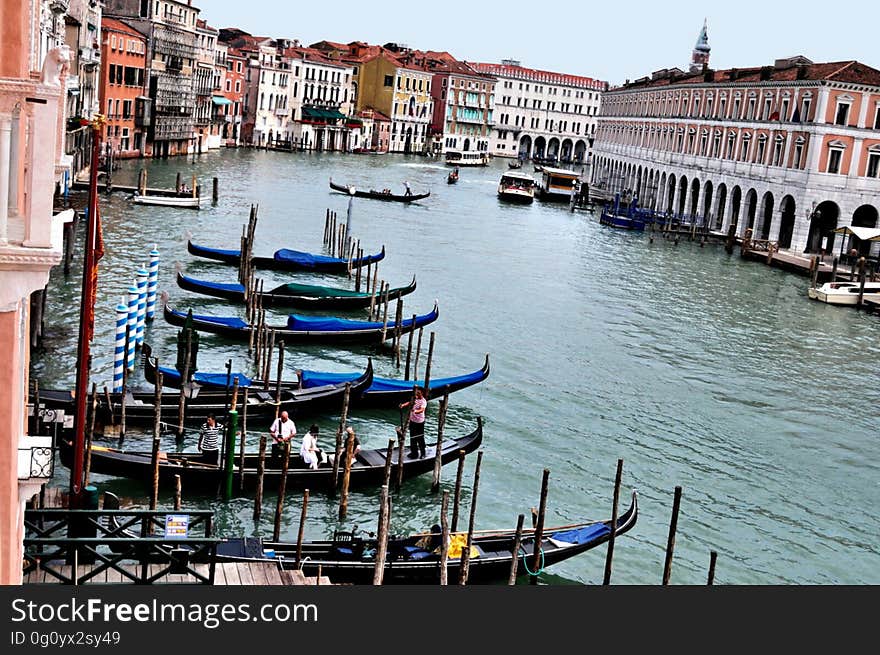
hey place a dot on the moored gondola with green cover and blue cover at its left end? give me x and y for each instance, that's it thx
(302, 296)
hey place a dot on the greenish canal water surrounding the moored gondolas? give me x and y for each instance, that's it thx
(696, 368)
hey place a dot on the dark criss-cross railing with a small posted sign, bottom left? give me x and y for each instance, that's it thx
(55, 539)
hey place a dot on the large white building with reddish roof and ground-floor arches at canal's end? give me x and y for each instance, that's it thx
(542, 114)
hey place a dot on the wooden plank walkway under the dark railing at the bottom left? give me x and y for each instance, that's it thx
(225, 573)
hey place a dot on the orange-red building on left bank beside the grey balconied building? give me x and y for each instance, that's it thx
(124, 62)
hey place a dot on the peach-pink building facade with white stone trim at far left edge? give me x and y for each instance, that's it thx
(32, 100)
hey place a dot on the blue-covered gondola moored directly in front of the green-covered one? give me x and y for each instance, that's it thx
(305, 329)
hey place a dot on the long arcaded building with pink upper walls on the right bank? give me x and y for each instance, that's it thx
(791, 151)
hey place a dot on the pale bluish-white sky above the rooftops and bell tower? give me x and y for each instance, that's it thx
(609, 41)
